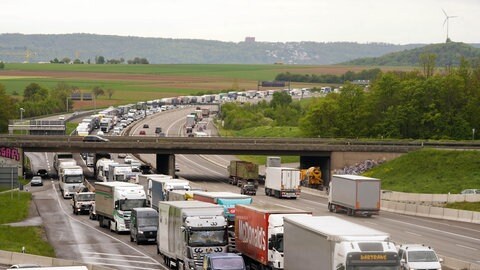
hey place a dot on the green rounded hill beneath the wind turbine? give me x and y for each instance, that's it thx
(448, 54)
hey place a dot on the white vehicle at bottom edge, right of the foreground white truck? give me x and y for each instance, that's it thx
(416, 256)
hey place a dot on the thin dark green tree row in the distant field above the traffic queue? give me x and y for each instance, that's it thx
(368, 74)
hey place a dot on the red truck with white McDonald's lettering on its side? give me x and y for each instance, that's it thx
(259, 234)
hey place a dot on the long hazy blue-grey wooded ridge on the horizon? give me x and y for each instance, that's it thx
(43, 48)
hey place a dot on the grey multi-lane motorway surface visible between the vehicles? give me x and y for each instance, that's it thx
(77, 237)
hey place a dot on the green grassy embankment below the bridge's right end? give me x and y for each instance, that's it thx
(430, 171)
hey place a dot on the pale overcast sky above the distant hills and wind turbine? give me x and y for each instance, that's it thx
(390, 21)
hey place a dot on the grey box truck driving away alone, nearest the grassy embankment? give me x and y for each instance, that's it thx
(354, 194)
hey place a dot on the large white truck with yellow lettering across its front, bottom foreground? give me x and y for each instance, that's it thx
(330, 243)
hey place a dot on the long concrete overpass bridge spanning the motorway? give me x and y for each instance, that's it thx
(329, 154)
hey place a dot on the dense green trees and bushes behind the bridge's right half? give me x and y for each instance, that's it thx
(400, 105)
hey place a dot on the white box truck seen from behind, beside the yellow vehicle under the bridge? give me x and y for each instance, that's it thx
(282, 182)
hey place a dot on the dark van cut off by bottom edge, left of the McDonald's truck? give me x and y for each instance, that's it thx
(223, 261)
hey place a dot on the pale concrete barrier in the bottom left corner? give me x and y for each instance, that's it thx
(10, 258)
